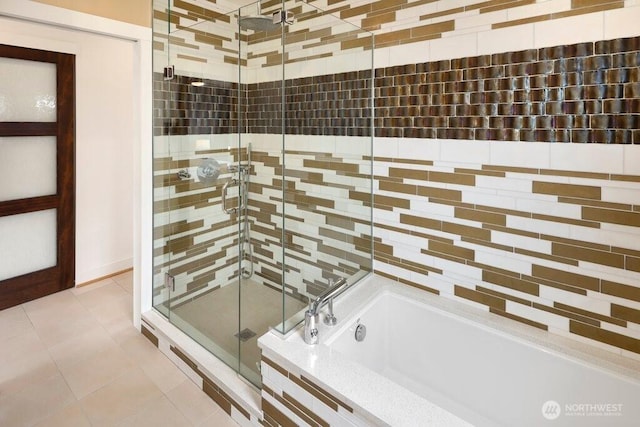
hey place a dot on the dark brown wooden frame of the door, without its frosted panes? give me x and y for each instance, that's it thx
(62, 276)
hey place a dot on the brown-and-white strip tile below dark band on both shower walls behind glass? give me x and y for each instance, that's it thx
(326, 215)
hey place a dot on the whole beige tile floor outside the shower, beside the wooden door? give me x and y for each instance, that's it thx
(74, 359)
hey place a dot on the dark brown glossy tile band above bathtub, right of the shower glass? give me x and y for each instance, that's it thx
(586, 93)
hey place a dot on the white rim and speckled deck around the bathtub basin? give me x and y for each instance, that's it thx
(292, 351)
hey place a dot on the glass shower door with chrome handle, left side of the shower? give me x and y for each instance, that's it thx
(197, 197)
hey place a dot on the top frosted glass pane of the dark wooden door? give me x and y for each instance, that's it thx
(27, 91)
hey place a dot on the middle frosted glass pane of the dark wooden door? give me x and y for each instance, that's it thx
(28, 167)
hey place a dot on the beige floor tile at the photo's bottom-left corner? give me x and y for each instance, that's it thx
(35, 402)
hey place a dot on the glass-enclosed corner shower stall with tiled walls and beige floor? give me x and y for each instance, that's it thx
(262, 166)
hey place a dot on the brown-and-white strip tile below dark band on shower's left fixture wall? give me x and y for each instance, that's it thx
(193, 238)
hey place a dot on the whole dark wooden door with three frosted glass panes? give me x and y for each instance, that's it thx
(37, 193)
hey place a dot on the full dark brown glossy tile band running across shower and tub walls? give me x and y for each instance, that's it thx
(581, 93)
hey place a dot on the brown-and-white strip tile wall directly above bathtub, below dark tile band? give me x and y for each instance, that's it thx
(546, 234)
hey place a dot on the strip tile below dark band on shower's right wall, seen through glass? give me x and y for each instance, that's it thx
(325, 211)
